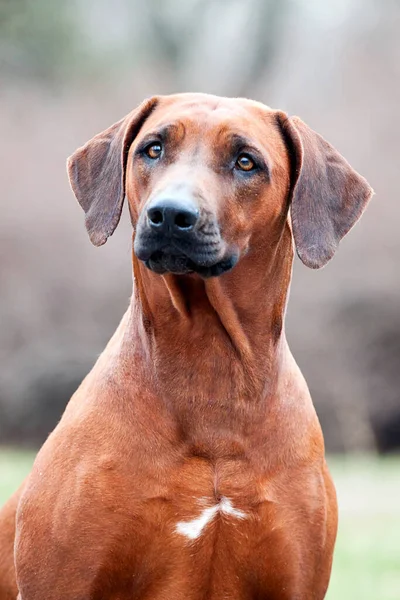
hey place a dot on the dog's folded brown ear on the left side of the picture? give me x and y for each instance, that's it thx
(97, 173)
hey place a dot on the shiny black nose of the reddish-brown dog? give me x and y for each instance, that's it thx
(172, 216)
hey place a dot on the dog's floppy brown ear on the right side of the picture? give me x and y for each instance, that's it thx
(327, 195)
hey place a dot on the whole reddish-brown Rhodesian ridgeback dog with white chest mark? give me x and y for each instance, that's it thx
(190, 465)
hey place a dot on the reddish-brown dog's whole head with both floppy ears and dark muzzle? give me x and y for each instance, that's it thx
(209, 179)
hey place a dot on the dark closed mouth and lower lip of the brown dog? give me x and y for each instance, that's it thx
(165, 261)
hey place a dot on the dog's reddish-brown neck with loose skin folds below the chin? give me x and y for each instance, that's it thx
(221, 337)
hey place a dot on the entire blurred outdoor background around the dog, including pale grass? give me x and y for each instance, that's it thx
(69, 69)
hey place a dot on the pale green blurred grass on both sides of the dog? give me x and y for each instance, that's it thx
(367, 555)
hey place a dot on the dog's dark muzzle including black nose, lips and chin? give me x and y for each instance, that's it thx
(174, 236)
